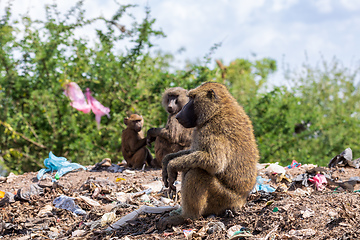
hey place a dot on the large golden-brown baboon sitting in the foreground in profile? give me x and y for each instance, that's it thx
(219, 170)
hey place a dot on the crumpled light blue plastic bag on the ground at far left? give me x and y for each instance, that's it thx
(59, 164)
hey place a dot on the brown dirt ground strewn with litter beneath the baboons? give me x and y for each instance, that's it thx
(293, 211)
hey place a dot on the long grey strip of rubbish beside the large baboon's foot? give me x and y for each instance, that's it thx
(133, 215)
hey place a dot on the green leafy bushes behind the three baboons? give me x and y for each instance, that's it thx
(311, 121)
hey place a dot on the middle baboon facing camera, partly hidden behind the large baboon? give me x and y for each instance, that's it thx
(173, 137)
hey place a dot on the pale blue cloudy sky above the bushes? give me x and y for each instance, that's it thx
(289, 31)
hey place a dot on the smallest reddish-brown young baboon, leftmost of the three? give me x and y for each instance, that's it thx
(133, 143)
